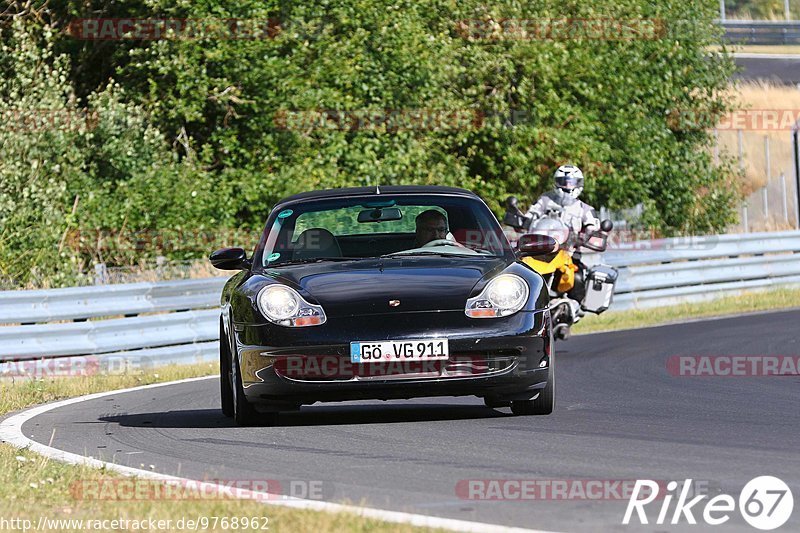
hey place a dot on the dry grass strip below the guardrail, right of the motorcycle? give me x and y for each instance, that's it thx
(746, 303)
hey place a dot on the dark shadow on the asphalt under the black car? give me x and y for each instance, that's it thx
(312, 416)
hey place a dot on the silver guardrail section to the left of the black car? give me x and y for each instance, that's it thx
(157, 324)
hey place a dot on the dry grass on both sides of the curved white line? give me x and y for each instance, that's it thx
(32, 486)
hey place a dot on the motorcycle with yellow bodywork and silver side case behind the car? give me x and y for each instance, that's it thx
(576, 279)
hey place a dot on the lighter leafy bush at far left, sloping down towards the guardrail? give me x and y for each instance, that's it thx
(80, 183)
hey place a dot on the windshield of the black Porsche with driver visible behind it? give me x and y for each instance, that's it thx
(381, 226)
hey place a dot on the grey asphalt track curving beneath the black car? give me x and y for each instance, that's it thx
(620, 415)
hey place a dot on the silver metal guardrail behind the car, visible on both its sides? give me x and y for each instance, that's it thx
(177, 322)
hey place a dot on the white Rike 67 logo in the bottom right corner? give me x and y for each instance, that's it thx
(765, 503)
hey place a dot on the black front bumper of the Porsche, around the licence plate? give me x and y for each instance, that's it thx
(507, 357)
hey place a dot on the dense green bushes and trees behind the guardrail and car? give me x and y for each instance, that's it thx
(209, 133)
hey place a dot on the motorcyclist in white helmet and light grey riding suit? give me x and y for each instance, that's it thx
(577, 214)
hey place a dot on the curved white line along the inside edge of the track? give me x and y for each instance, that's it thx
(11, 433)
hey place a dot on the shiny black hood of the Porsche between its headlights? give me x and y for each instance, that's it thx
(366, 286)
